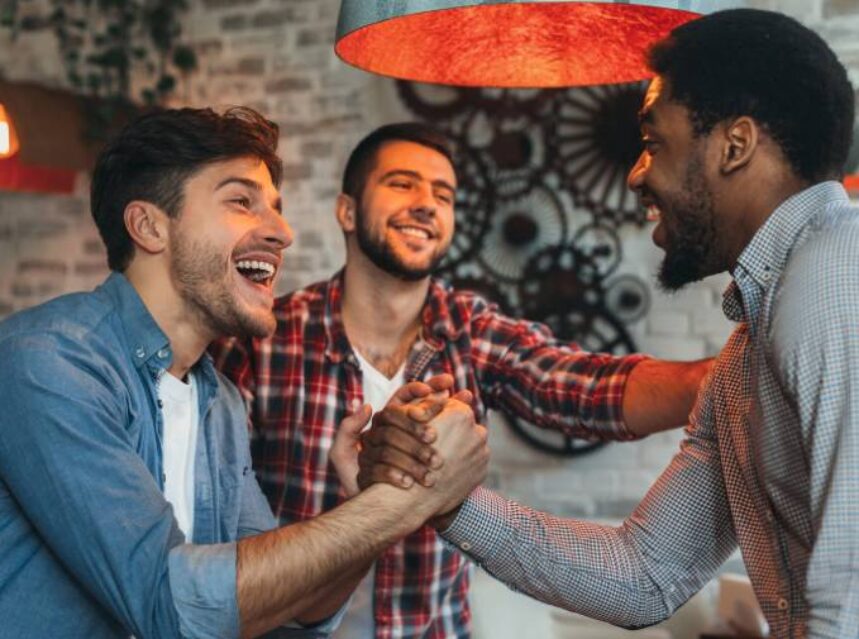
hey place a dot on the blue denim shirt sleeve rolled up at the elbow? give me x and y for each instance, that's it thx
(68, 458)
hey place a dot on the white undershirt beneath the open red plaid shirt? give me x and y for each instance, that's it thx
(358, 621)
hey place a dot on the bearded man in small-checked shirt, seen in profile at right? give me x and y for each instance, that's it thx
(746, 127)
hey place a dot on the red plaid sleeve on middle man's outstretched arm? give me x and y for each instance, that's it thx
(524, 370)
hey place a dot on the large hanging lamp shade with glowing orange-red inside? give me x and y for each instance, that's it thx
(506, 44)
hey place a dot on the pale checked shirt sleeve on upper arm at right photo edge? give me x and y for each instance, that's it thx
(815, 342)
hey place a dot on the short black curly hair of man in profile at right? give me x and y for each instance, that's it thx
(771, 68)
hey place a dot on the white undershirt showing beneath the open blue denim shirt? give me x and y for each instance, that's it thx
(180, 411)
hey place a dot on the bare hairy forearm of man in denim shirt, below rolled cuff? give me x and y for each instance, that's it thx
(277, 570)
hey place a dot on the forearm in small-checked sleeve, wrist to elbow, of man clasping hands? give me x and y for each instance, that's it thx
(579, 566)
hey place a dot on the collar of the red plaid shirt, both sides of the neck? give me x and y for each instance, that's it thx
(440, 323)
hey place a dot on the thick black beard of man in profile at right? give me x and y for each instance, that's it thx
(691, 245)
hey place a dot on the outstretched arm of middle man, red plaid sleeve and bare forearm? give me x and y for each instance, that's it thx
(522, 369)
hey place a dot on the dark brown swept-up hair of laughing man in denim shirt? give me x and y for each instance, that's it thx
(156, 154)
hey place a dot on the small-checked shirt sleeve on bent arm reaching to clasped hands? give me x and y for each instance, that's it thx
(633, 575)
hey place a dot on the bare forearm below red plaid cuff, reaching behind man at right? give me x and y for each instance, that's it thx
(659, 395)
